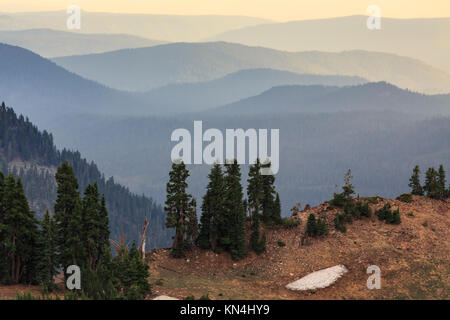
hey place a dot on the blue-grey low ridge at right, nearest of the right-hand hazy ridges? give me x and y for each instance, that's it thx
(371, 96)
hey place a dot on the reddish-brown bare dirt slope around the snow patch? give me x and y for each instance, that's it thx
(414, 258)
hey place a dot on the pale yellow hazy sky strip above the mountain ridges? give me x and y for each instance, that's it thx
(280, 10)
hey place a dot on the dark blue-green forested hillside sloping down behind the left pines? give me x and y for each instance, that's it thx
(32, 156)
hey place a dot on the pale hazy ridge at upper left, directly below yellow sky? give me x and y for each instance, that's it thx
(151, 26)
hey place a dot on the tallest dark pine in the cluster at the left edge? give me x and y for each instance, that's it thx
(68, 219)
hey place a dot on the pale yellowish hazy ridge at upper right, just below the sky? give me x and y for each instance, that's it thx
(423, 39)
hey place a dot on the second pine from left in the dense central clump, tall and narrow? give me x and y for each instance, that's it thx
(234, 206)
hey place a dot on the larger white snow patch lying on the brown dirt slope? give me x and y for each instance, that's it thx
(319, 279)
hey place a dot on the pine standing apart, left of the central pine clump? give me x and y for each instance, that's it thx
(178, 207)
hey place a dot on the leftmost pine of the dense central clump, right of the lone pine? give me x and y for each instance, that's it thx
(212, 222)
